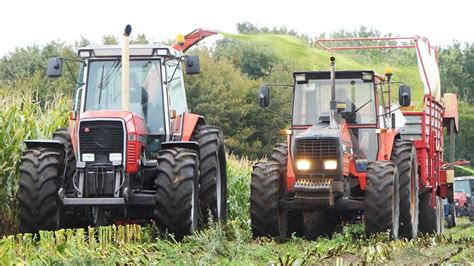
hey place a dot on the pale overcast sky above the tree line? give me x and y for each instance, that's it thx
(29, 22)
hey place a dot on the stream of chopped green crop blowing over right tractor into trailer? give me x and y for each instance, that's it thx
(303, 56)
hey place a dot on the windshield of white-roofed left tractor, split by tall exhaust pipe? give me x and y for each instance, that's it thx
(104, 90)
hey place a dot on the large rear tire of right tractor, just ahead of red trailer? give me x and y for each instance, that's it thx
(404, 155)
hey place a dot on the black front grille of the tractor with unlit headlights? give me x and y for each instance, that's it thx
(101, 138)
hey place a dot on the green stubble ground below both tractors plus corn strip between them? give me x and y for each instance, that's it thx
(231, 243)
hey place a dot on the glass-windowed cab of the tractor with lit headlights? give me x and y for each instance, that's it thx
(356, 108)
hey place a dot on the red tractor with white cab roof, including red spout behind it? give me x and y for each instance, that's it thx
(132, 152)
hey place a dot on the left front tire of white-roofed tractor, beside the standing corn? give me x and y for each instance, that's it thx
(39, 207)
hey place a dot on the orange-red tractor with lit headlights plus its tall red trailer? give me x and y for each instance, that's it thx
(352, 154)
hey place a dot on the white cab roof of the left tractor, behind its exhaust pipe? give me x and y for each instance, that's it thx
(135, 50)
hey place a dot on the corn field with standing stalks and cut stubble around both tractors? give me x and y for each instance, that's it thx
(23, 116)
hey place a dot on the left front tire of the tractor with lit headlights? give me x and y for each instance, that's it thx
(265, 216)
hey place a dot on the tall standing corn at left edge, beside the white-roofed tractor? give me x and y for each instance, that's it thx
(22, 116)
